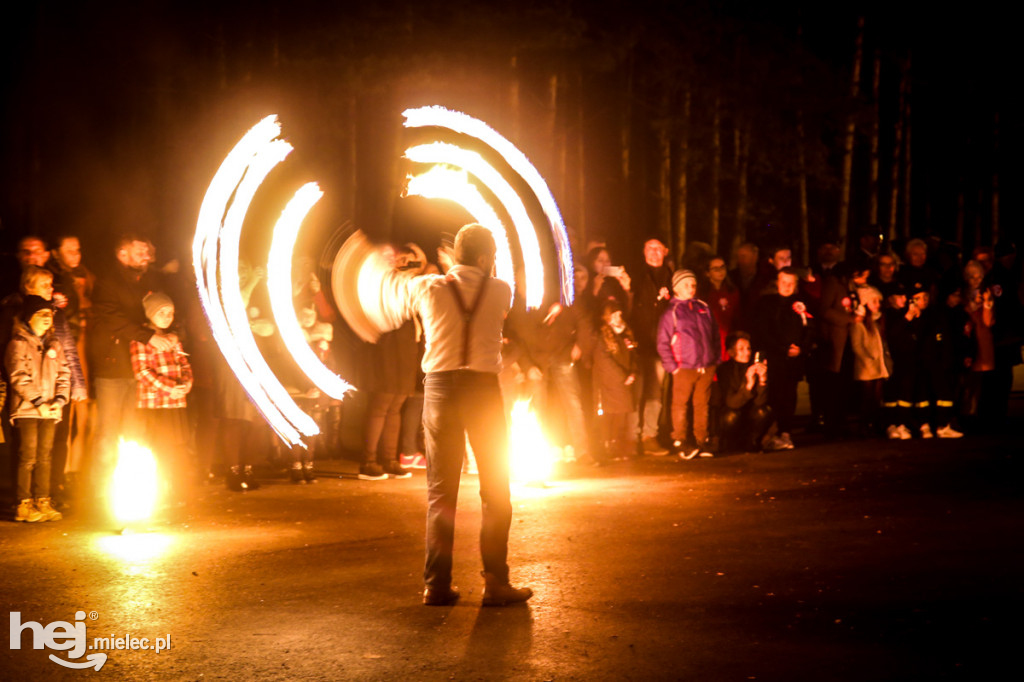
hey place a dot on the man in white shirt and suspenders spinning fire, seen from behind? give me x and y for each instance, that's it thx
(463, 314)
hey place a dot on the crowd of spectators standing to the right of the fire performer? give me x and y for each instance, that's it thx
(916, 342)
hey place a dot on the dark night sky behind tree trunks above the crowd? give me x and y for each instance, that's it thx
(116, 116)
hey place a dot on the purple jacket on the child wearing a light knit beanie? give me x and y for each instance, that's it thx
(688, 336)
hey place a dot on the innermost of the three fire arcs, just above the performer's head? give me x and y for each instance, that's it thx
(454, 186)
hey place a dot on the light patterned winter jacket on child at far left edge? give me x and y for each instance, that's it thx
(39, 374)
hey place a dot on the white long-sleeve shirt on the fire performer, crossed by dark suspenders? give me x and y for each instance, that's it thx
(402, 296)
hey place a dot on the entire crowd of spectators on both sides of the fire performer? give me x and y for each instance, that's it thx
(696, 361)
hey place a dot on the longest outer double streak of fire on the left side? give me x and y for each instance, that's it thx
(216, 259)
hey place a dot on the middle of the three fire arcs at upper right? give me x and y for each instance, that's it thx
(442, 153)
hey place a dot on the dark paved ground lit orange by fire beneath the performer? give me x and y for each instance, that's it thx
(867, 561)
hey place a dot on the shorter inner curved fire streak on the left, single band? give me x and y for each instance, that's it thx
(279, 280)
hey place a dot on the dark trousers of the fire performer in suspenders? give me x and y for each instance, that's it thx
(456, 405)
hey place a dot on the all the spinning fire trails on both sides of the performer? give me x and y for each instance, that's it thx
(532, 255)
